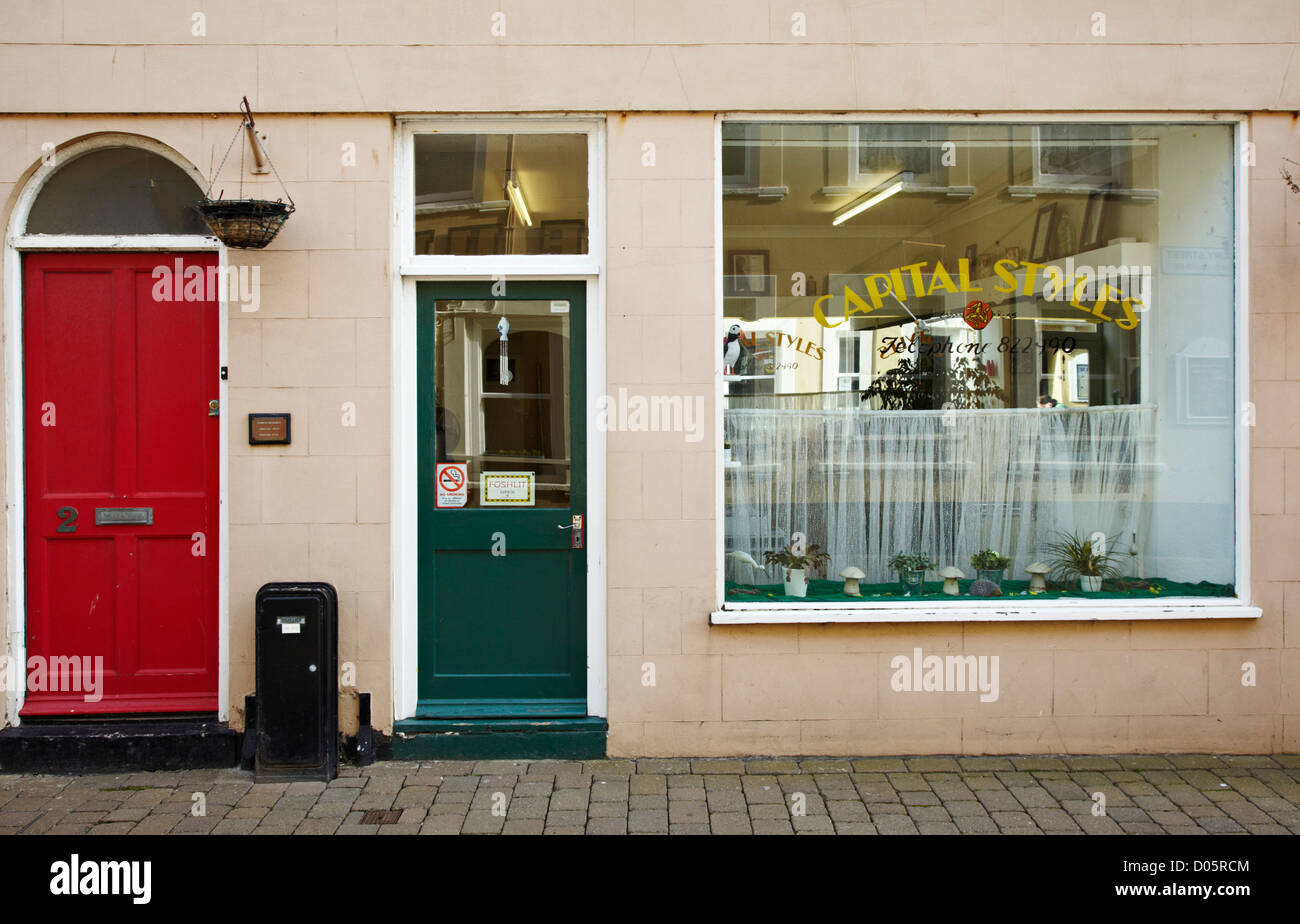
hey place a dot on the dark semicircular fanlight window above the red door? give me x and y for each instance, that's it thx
(119, 192)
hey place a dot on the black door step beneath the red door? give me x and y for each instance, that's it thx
(112, 747)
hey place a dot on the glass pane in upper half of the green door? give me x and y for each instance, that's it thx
(502, 388)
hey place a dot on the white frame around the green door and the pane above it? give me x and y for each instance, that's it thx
(409, 270)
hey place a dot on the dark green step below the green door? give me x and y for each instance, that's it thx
(500, 739)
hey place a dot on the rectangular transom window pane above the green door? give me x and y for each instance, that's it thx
(501, 194)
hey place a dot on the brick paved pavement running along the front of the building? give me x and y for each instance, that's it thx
(1151, 795)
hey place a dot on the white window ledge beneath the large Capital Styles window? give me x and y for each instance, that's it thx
(991, 613)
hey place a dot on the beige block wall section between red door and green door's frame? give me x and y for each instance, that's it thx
(318, 346)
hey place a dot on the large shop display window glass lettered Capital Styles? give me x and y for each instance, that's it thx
(978, 361)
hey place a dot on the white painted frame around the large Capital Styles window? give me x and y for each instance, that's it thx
(898, 611)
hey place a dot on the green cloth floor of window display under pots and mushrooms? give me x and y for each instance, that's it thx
(833, 592)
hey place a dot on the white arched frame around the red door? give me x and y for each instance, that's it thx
(19, 242)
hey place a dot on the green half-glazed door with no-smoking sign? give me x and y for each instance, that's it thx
(502, 485)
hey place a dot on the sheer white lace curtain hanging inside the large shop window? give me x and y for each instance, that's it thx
(869, 484)
